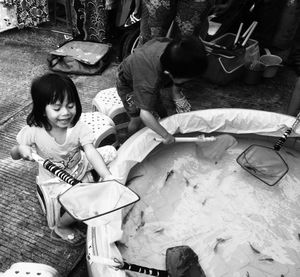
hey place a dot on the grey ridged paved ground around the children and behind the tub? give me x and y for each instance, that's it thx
(22, 57)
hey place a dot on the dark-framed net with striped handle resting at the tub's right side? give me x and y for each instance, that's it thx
(265, 163)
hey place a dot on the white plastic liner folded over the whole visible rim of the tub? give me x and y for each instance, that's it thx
(136, 148)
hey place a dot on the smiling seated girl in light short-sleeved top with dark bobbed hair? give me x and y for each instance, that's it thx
(54, 132)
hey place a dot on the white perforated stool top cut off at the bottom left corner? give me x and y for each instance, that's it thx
(30, 270)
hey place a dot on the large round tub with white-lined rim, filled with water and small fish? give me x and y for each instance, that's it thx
(257, 224)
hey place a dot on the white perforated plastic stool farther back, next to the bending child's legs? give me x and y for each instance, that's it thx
(108, 102)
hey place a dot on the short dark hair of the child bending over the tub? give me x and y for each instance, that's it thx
(185, 57)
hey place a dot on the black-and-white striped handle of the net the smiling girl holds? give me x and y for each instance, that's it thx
(54, 169)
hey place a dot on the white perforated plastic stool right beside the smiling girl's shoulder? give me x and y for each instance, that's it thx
(103, 128)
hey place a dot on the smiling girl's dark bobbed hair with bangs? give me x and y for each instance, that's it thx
(48, 89)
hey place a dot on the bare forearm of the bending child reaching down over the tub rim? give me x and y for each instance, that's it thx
(150, 121)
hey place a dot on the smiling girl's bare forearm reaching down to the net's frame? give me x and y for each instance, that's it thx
(96, 160)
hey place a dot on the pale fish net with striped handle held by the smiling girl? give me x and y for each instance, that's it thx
(86, 201)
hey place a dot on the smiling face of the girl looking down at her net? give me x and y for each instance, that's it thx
(60, 115)
